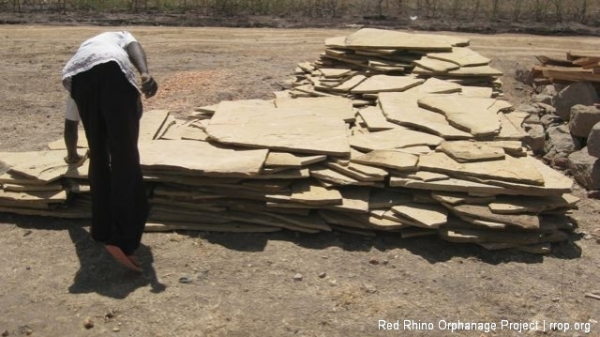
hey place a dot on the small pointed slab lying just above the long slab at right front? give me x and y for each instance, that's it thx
(469, 151)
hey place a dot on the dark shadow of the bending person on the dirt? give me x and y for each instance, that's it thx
(99, 273)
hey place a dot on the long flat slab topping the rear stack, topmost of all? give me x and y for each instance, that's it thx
(381, 38)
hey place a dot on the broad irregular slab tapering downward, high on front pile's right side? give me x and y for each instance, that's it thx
(478, 116)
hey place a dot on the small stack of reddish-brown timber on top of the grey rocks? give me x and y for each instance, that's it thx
(575, 67)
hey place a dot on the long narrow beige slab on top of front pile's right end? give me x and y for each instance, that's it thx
(519, 170)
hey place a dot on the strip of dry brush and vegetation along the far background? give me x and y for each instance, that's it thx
(550, 11)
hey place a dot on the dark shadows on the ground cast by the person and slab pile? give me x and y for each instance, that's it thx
(99, 273)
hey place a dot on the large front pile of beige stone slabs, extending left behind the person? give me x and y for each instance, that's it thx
(425, 160)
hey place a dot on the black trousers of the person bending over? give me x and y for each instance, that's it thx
(110, 112)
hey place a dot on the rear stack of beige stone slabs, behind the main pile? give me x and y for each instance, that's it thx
(371, 61)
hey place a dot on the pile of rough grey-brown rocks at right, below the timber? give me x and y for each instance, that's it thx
(563, 127)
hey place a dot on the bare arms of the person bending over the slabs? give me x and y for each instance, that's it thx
(137, 55)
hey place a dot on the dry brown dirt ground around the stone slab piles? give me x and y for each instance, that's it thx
(53, 278)
